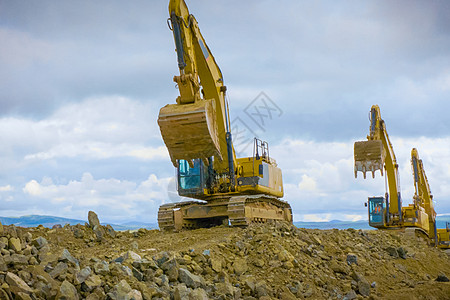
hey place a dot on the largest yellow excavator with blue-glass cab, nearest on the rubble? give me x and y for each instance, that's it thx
(197, 133)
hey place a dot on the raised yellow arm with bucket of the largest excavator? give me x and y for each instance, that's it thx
(197, 126)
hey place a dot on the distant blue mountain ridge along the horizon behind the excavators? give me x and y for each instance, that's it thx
(49, 221)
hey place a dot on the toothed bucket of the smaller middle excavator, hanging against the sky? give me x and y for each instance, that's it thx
(369, 156)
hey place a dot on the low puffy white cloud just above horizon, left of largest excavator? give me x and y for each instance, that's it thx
(113, 199)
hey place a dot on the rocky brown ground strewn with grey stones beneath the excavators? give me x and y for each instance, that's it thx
(270, 261)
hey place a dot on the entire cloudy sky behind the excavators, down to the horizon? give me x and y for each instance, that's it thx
(81, 84)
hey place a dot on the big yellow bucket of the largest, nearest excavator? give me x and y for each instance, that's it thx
(190, 131)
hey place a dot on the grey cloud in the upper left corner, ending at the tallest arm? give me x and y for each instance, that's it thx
(91, 51)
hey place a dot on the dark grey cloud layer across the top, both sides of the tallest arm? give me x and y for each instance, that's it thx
(348, 53)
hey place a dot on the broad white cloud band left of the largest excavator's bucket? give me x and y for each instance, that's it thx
(100, 127)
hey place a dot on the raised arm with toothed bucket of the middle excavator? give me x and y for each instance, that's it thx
(375, 154)
